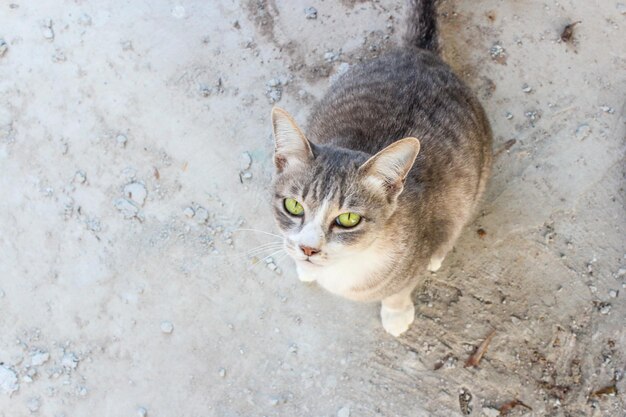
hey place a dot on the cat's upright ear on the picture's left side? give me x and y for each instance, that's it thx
(291, 147)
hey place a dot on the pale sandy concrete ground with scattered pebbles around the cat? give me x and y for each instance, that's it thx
(134, 143)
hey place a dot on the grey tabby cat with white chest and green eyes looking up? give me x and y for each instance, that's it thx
(394, 162)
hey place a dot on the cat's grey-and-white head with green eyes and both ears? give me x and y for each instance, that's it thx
(331, 202)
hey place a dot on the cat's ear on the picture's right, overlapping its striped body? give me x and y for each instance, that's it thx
(387, 170)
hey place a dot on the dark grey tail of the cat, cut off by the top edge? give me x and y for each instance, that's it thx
(422, 25)
